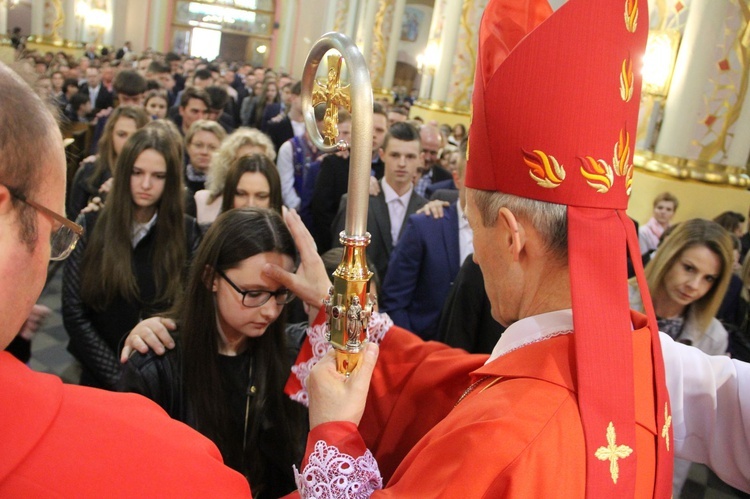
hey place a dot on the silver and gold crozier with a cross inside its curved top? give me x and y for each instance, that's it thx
(349, 303)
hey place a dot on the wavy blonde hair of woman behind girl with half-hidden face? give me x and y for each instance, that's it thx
(242, 142)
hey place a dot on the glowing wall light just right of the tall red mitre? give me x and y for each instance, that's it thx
(659, 61)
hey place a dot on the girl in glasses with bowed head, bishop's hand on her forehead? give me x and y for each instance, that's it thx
(227, 374)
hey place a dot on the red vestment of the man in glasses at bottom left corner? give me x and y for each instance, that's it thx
(69, 441)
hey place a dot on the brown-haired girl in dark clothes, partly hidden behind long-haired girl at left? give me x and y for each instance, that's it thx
(92, 178)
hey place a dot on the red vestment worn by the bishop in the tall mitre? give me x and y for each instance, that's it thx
(517, 433)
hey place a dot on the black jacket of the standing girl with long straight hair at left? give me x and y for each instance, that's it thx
(95, 336)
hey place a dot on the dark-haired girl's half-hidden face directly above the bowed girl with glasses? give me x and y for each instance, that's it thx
(252, 181)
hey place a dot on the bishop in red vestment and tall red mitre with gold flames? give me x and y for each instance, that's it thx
(572, 401)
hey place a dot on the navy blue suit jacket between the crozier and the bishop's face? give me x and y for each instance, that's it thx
(421, 271)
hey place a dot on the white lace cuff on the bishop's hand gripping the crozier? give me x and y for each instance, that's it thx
(332, 474)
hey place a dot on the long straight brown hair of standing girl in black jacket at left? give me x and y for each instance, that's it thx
(107, 272)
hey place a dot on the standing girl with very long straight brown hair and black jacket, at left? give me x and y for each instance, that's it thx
(131, 261)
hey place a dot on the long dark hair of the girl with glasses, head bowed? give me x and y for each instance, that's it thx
(236, 235)
